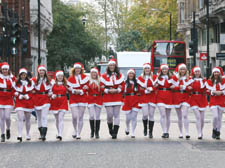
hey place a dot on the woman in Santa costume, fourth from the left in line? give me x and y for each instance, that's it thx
(58, 101)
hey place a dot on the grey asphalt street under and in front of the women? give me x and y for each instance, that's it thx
(105, 152)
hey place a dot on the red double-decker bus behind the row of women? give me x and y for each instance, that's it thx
(167, 52)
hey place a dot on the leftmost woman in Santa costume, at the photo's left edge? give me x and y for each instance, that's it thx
(6, 99)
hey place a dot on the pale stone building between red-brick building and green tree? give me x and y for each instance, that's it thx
(46, 28)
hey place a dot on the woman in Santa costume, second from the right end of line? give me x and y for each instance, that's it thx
(198, 101)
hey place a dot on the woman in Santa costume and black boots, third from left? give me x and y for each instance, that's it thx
(41, 100)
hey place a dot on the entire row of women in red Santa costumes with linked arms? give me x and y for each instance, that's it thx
(180, 90)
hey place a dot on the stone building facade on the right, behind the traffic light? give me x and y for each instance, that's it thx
(216, 30)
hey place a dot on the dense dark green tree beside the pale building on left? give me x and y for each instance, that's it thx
(69, 42)
